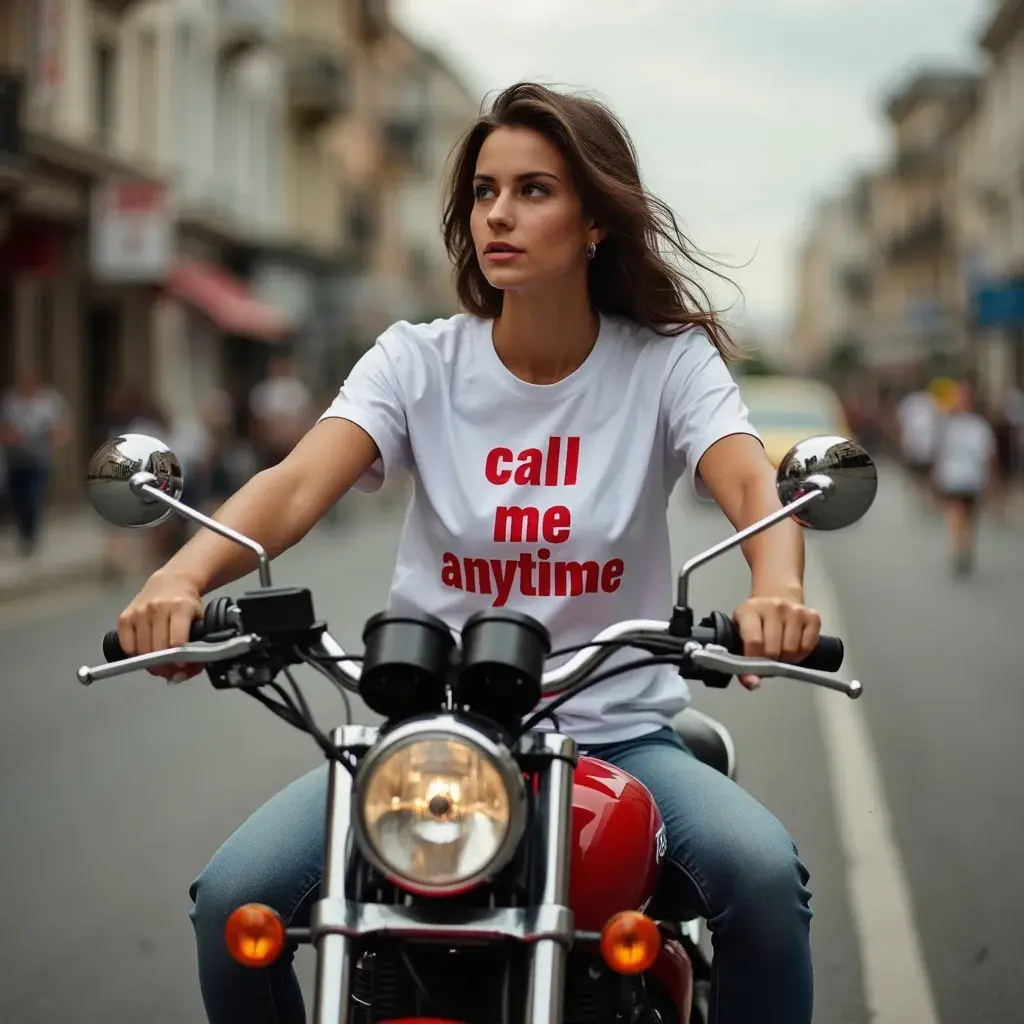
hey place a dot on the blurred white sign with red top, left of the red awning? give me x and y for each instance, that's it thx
(133, 237)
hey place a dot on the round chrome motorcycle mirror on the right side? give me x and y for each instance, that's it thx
(839, 467)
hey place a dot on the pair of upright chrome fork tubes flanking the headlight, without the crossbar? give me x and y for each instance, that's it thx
(335, 952)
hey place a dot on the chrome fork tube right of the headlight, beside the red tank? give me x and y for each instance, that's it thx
(554, 807)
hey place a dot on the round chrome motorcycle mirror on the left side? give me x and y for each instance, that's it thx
(109, 481)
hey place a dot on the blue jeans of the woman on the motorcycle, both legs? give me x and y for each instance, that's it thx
(728, 856)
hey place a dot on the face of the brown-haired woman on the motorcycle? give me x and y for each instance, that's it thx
(528, 223)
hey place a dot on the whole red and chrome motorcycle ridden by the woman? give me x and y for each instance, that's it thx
(478, 867)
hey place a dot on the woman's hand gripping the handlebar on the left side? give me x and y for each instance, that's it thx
(161, 617)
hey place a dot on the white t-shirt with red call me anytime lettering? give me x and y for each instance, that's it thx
(549, 500)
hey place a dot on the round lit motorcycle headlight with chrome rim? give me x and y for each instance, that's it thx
(440, 807)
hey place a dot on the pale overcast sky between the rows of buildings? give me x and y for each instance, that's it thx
(744, 112)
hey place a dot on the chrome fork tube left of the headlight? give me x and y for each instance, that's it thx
(334, 953)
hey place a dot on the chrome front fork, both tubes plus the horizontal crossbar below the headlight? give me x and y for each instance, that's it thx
(339, 919)
